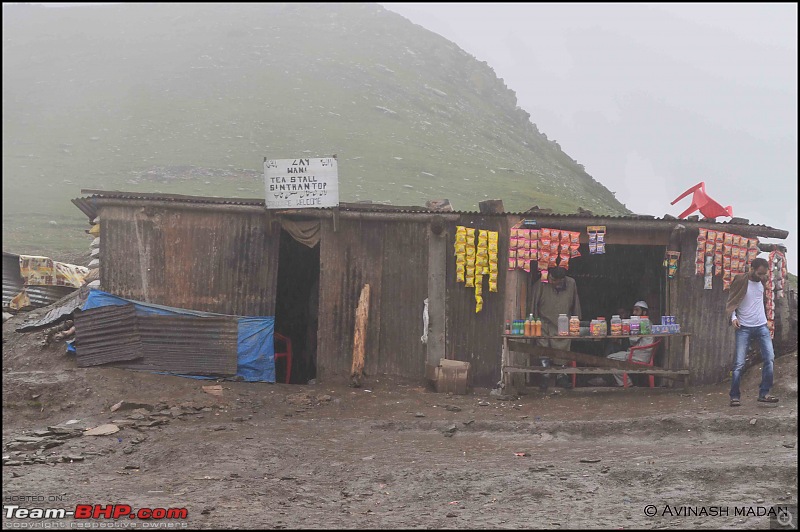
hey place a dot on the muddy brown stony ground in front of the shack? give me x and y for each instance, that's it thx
(389, 454)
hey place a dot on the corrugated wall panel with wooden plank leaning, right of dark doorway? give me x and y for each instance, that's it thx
(392, 257)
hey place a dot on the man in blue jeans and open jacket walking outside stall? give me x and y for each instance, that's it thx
(746, 308)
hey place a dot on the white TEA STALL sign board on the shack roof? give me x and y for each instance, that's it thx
(301, 183)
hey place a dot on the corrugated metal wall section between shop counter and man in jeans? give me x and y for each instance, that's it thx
(702, 313)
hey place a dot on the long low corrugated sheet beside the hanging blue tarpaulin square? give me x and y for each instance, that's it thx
(189, 345)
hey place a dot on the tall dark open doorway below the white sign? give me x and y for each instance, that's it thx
(297, 307)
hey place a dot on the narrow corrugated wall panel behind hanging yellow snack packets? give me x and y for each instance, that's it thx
(476, 337)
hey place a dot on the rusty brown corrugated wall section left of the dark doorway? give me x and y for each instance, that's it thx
(224, 262)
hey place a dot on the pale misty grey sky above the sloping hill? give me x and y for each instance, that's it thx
(652, 98)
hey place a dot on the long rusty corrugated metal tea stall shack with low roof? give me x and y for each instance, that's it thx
(232, 256)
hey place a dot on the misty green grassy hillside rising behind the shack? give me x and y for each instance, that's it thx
(189, 98)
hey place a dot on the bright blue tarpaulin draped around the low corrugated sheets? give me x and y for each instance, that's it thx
(255, 348)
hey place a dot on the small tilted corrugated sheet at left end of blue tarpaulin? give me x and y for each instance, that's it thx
(107, 334)
